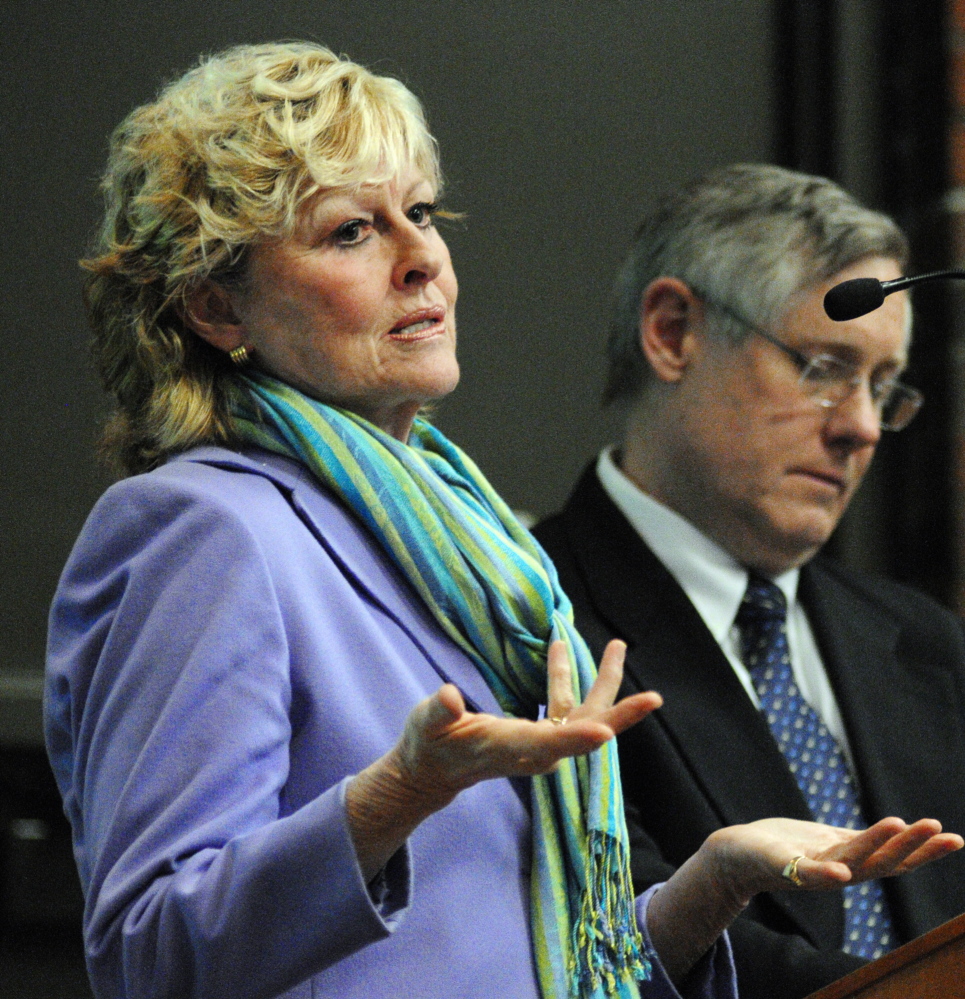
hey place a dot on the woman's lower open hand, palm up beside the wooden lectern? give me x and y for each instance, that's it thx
(714, 886)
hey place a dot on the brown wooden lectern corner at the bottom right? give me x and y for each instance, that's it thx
(931, 967)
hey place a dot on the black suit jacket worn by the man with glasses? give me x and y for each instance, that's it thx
(707, 759)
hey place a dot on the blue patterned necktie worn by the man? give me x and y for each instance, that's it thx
(812, 753)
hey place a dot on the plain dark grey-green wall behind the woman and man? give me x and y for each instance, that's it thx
(560, 125)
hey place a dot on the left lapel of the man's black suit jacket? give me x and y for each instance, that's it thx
(671, 650)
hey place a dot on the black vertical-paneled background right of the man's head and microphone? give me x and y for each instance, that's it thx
(863, 96)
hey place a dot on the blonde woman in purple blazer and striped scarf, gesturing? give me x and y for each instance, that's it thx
(298, 657)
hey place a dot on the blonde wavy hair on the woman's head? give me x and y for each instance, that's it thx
(223, 158)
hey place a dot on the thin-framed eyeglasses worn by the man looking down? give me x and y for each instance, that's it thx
(882, 393)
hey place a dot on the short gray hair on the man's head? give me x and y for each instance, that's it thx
(746, 237)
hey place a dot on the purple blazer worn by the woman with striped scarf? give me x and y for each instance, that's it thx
(227, 647)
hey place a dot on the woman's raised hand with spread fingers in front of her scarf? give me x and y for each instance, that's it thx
(445, 748)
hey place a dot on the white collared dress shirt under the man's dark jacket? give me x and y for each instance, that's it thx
(715, 583)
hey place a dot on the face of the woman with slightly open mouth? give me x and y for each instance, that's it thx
(357, 308)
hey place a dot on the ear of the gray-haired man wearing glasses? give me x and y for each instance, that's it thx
(670, 317)
